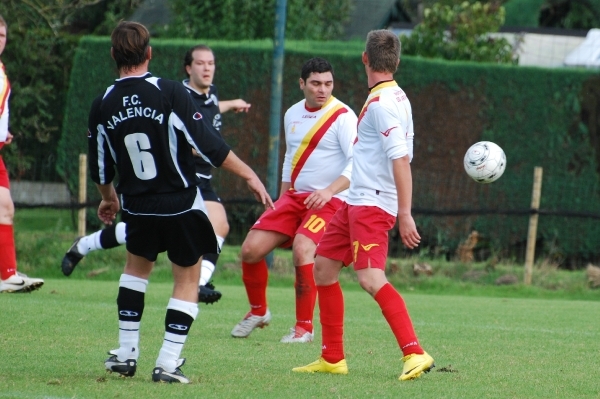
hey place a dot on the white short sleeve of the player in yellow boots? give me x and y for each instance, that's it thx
(392, 124)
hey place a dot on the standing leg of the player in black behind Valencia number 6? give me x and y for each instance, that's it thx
(218, 218)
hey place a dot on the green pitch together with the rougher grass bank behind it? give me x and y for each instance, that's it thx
(488, 341)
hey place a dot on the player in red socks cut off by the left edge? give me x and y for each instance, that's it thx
(10, 280)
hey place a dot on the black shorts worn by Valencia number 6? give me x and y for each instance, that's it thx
(185, 237)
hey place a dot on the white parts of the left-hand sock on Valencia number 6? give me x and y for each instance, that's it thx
(129, 331)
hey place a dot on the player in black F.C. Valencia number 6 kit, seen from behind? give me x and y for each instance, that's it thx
(145, 128)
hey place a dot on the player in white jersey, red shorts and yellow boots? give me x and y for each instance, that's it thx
(380, 190)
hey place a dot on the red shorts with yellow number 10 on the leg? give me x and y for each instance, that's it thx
(291, 217)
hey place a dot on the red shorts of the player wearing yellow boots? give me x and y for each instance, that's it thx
(358, 234)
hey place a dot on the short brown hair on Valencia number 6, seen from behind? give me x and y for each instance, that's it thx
(130, 44)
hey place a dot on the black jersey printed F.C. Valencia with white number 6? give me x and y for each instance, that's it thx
(146, 127)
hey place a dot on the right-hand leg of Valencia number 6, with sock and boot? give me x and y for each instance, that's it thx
(182, 310)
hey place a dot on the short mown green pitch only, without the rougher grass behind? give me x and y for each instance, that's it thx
(54, 342)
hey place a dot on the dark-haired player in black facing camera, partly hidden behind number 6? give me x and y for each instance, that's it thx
(199, 65)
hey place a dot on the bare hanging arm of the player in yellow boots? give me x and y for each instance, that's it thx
(406, 224)
